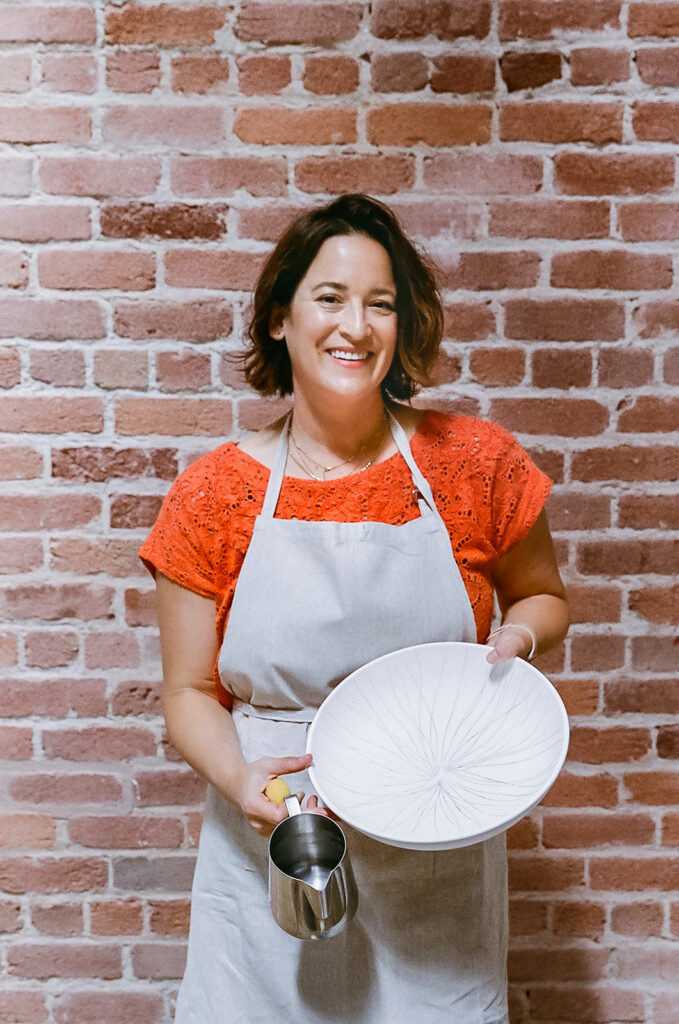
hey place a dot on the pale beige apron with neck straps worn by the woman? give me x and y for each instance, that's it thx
(315, 602)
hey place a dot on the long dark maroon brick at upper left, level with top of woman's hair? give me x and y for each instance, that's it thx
(179, 221)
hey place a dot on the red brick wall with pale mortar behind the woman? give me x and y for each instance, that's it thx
(149, 155)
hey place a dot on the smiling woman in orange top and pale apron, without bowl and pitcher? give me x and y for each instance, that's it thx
(347, 320)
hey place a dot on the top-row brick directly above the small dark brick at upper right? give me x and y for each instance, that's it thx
(545, 19)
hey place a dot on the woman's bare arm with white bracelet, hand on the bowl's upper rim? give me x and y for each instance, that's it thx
(531, 593)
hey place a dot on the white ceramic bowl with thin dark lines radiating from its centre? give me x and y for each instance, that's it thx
(432, 748)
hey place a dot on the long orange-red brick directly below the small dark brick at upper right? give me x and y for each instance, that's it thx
(560, 122)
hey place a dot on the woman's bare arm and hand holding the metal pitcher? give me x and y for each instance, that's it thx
(200, 728)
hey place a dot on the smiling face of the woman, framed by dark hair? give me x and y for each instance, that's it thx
(342, 325)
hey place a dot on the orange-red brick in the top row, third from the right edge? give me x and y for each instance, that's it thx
(412, 20)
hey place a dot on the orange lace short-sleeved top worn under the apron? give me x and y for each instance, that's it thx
(487, 489)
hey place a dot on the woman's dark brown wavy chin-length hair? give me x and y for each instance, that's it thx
(420, 317)
